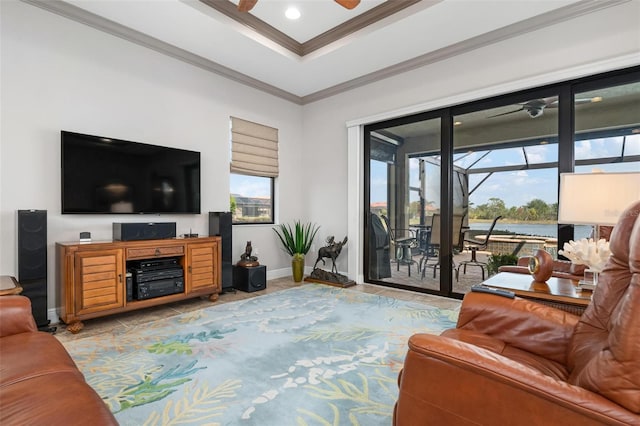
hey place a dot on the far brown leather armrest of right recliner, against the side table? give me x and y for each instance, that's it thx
(521, 323)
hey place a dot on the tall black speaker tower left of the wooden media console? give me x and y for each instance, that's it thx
(32, 261)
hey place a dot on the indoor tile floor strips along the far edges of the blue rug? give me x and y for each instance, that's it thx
(122, 321)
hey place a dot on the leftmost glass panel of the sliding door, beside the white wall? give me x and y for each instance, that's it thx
(403, 195)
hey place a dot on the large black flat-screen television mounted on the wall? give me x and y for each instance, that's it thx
(106, 175)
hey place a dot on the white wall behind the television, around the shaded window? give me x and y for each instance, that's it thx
(61, 75)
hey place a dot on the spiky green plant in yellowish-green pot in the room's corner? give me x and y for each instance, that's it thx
(297, 242)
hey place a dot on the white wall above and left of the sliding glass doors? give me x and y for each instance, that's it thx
(556, 53)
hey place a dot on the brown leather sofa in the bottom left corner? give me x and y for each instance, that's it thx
(39, 382)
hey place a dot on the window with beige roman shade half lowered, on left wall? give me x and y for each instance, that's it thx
(254, 167)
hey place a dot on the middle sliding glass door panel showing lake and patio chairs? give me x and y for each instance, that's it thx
(507, 155)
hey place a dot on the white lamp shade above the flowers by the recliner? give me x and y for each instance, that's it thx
(596, 198)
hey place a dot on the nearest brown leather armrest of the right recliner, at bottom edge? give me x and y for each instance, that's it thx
(445, 381)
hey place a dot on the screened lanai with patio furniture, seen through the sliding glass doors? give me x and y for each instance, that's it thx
(465, 166)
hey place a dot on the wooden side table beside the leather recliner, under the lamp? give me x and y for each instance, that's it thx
(559, 293)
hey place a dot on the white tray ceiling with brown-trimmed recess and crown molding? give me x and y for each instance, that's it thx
(329, 49)
